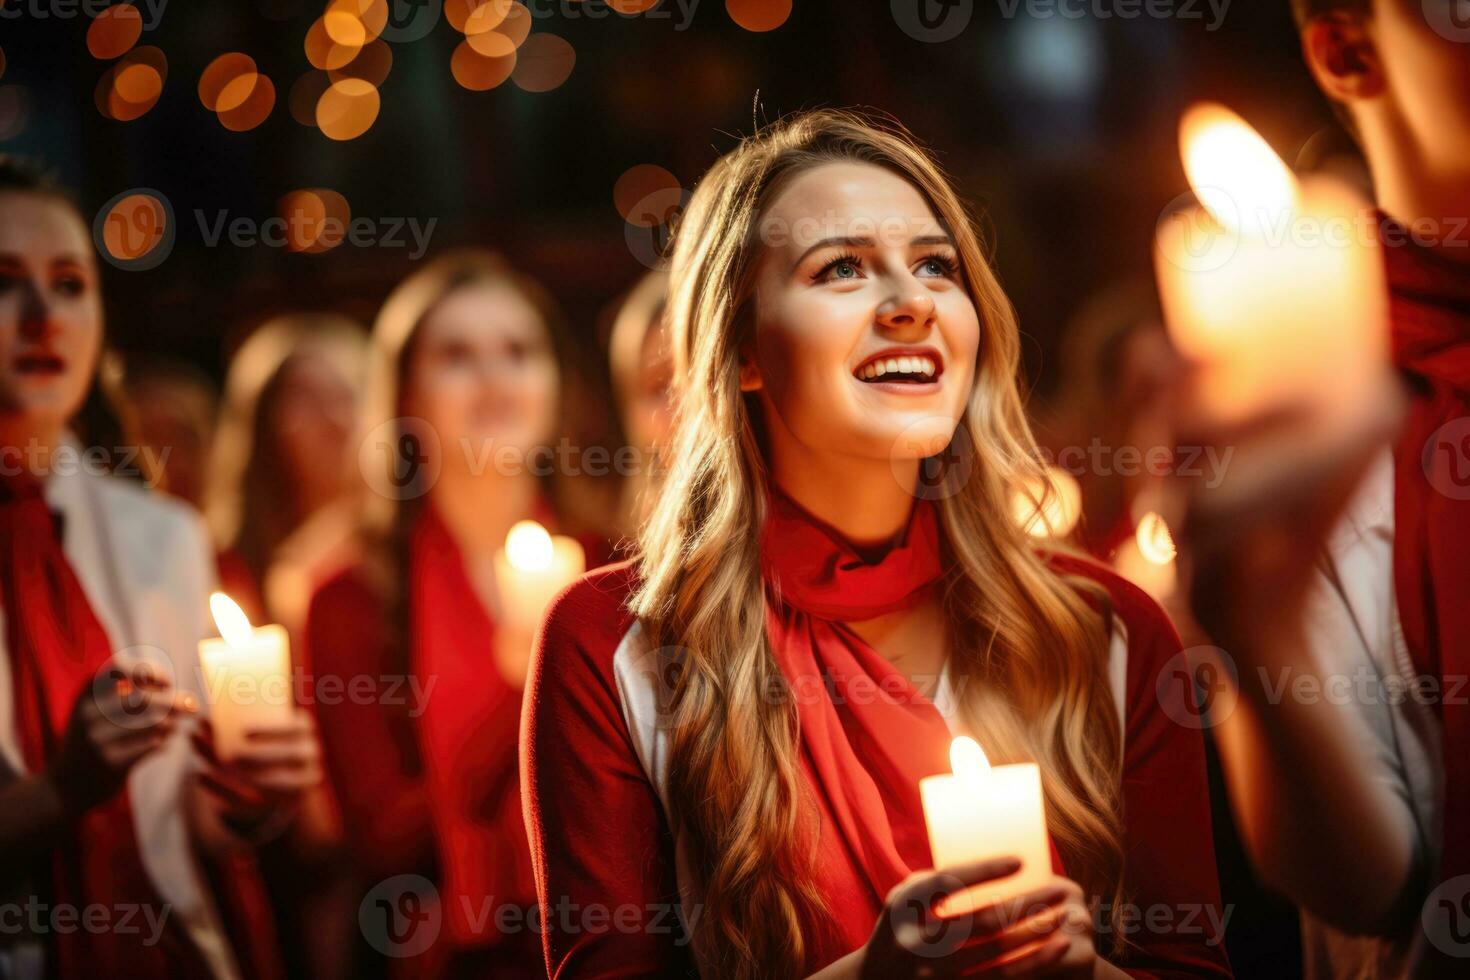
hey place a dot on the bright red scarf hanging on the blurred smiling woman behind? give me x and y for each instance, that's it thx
(470, 737)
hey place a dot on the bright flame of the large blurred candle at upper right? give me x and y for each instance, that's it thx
(1231, 168)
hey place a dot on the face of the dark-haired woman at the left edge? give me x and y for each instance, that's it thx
(51, 314)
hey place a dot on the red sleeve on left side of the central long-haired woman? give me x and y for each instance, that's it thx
(600, 846)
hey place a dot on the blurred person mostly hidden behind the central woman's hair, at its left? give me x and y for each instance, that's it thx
(643, 386)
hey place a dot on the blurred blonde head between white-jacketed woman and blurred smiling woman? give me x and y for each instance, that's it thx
(283, 459)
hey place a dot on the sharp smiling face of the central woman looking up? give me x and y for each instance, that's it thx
(867, 337)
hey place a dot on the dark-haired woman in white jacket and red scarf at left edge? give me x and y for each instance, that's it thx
(110, 790)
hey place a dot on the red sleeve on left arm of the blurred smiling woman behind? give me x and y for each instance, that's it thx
(370, 749)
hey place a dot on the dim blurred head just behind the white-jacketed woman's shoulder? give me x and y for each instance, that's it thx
(171, 411)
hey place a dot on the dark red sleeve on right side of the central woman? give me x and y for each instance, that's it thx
(1177, 920)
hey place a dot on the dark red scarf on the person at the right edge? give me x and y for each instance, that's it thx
(1431, 312)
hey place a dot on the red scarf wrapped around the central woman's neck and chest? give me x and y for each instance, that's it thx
(870, 735)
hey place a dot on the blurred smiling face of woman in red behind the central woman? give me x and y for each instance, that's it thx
(484, 377)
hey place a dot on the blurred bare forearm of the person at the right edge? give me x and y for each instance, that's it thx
(1319, 828)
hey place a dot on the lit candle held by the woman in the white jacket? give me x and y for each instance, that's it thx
(246, 677)
